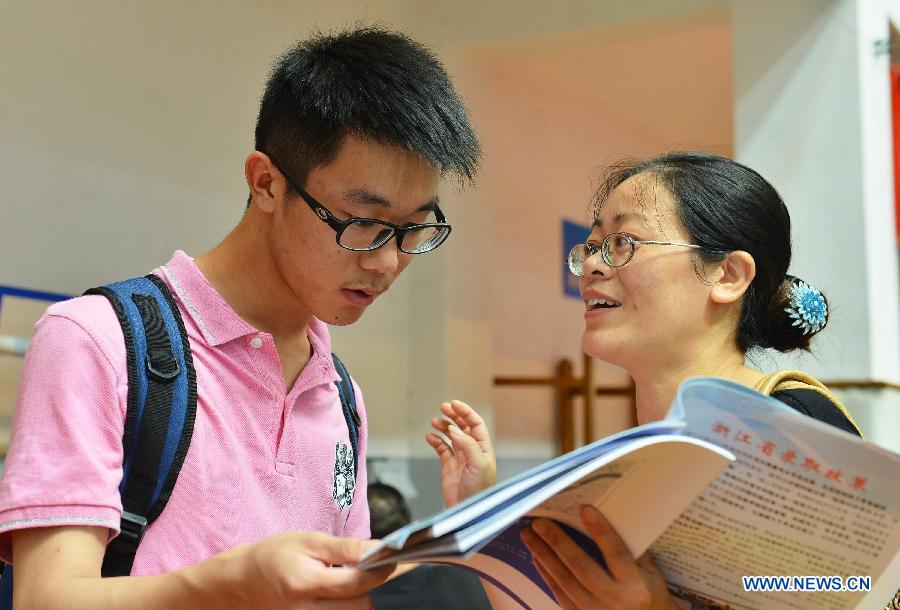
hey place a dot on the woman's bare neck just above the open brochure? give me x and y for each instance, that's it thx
(656, 384)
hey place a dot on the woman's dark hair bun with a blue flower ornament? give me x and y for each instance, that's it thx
(802, 312)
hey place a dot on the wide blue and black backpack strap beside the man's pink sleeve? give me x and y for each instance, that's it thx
(162, 405)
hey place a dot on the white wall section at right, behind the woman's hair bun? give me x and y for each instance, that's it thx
(812, 115)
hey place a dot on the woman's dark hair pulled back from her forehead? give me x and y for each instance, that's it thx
(727, 206)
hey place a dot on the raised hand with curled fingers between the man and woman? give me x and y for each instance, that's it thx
(468, 463)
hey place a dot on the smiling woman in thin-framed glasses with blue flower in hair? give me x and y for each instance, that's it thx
(684, 273)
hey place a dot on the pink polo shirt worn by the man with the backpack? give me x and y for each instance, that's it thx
(261, 461)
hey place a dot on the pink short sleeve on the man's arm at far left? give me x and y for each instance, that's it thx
(64, 462)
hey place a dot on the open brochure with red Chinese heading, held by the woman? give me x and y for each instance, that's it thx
(731, 484)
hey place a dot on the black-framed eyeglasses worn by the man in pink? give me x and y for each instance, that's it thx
(364, 234)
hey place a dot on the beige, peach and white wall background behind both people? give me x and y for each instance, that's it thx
(125, 125)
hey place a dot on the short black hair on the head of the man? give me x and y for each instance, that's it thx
(369, 82)
